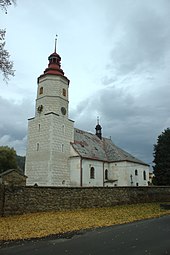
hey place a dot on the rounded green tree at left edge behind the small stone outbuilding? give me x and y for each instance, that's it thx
(8, 158)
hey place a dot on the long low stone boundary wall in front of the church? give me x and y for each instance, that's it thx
(20, 200)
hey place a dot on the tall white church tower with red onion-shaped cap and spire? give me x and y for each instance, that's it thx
(50, 132)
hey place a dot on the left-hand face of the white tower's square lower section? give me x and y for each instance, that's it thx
(38, 151)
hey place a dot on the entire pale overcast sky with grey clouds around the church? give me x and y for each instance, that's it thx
(116, 55)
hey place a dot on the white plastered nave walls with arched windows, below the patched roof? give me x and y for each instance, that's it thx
(118, 173)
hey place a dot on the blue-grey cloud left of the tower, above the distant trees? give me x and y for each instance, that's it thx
(13, 126)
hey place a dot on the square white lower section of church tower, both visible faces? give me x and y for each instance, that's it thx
(49, 164)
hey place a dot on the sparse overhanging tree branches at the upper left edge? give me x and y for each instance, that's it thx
(6, 66)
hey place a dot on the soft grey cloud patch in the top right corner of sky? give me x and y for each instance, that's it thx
(144, 38)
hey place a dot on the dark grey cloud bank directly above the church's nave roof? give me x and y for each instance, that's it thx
(133, 121)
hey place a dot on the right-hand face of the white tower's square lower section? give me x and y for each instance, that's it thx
(60, 147)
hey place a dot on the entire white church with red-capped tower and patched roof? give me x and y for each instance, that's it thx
(58, 154)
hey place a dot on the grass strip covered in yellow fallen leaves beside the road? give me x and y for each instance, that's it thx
(47, 223)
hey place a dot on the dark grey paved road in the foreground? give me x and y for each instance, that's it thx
(139, 238)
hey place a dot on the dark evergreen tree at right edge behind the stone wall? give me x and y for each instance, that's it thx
(162, 159)
